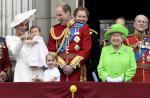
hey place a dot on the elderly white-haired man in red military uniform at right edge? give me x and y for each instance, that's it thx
(140, 42)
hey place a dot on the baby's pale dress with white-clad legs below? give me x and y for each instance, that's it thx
(37, 56)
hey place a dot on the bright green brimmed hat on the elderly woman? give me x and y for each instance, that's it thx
(116, 28)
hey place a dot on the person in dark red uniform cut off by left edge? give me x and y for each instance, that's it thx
(5, 64)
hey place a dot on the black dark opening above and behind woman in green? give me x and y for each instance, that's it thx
(112, 9)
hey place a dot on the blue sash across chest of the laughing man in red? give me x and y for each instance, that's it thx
(76, 28)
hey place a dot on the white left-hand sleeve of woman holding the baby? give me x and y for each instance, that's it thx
(14, 44)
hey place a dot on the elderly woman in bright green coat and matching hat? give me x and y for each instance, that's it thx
(117, 62)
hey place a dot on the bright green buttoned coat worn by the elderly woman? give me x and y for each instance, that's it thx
(115, 64)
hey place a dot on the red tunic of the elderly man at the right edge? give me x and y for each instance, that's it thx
(143, 65)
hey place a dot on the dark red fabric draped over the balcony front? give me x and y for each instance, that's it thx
(85, 90)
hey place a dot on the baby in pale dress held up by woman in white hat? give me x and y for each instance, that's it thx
(38, 51)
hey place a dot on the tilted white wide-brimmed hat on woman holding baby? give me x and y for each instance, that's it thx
(19, 18)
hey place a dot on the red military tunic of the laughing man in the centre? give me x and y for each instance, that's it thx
(77, 52)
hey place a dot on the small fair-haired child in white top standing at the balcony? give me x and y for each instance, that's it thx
(52, 73)
